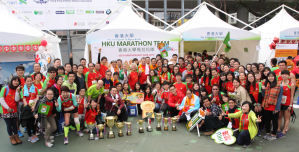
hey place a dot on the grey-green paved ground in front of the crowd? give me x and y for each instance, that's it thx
(176, 141)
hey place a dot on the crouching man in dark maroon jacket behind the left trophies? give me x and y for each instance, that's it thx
(115, 106)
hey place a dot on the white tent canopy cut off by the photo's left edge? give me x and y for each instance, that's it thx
(14, 31)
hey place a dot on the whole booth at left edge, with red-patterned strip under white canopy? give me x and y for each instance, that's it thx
(19, 41)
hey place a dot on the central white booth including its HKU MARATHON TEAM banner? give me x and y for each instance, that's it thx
(129, 36)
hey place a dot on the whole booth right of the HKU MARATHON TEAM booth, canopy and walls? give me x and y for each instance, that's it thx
(205, 31)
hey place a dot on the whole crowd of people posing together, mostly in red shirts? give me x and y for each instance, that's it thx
(243, 97)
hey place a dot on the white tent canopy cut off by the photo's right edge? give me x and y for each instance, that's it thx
(282, 25)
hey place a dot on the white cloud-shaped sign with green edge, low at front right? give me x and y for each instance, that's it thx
(224, 135)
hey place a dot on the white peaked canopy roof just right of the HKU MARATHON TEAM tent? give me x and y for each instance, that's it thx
(205, 26)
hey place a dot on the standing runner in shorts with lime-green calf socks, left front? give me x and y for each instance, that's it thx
(68, 105)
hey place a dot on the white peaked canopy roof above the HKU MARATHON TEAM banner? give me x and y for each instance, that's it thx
(128, 26)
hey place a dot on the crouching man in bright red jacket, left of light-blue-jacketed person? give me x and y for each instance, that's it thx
(175, 99)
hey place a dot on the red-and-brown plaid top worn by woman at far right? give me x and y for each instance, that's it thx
(271, 95)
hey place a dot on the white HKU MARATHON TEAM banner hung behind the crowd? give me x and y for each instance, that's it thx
(127, 50)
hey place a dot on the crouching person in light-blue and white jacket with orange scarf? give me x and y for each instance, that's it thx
(189, 106)
